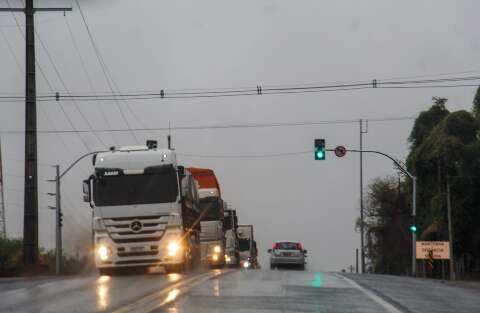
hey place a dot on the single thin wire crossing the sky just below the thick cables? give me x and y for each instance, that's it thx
(226, 126)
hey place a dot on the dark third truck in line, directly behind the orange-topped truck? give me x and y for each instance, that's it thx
(232, 252)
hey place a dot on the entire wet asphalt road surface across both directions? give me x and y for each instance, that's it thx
(237, 291)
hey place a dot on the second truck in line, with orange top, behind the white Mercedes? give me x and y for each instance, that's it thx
(212, 236)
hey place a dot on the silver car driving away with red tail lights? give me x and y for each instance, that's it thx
(287, 253)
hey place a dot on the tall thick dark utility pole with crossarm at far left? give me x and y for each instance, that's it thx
(30, 211)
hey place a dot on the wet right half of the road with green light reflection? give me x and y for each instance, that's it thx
(310, 291)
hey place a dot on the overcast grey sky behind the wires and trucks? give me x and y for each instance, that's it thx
(153, 45)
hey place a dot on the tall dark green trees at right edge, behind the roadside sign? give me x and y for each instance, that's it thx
(445, 146)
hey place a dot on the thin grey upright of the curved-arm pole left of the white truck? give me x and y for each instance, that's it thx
(58, 221)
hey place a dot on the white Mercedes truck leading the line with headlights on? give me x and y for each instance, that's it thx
(145, 210)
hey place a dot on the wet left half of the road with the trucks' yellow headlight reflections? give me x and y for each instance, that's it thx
(80, 294)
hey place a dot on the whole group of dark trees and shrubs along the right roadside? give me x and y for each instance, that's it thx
(444, 148)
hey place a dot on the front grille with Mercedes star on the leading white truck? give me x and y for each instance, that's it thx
(152, 229)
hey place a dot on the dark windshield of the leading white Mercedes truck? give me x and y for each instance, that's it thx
(136, 189)
